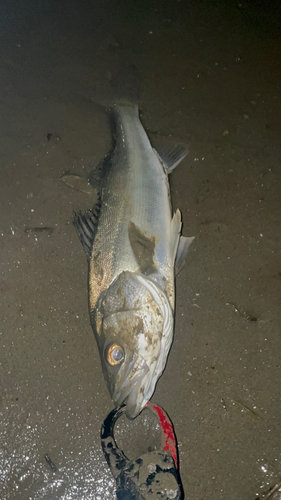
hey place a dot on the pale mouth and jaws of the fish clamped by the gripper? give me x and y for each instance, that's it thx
(133, 391)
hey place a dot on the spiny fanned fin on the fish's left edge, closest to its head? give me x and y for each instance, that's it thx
(86, 227)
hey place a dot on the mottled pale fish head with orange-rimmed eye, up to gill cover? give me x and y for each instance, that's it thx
(134, 326)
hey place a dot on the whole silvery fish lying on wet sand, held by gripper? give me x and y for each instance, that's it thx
(134, 246)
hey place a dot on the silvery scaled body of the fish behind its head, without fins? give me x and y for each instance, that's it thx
(138, 182)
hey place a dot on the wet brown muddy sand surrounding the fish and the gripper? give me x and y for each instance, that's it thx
(210, 76)
